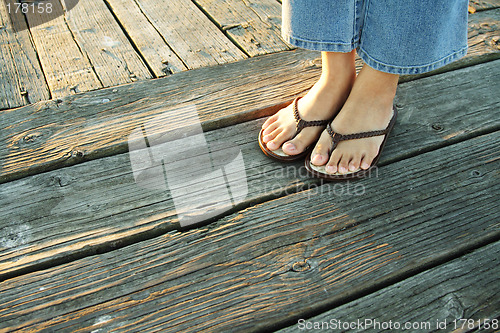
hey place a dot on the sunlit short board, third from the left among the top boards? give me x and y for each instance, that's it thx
(103, 42)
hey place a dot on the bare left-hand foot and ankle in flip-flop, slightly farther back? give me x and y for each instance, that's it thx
(322, 102)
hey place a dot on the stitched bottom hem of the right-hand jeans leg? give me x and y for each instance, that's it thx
(375, 64)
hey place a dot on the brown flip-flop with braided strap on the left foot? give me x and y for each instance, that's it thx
(300, 124)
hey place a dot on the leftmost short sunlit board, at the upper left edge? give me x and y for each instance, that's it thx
(21, 78)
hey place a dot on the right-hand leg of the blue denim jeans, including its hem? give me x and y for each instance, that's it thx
(410, 36)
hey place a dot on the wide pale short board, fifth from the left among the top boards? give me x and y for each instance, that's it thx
(192, 36)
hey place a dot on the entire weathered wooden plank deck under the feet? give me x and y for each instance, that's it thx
(93, 236)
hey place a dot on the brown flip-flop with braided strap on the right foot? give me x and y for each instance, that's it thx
(320, 172)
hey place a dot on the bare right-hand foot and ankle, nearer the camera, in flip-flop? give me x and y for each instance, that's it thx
(368, 108)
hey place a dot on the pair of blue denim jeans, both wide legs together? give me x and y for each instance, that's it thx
(393, 36)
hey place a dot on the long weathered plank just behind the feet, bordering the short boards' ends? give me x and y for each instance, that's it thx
(98, 123)
